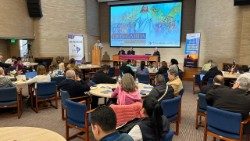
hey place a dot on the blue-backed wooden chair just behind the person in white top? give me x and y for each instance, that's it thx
(44, 92)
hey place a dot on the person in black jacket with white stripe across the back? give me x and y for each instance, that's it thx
(161, 91)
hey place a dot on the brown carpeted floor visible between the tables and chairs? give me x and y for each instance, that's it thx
(51, 119)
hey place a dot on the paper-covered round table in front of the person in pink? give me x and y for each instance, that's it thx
(105, 90)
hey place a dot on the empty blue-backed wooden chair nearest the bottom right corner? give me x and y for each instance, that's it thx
(224, 125)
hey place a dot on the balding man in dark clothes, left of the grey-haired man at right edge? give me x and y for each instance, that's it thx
(218, 82)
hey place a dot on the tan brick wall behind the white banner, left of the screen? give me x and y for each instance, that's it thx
(59, 19)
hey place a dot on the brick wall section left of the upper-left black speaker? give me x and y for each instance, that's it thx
(15, 21)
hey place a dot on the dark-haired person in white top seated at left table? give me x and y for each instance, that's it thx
(42, 76)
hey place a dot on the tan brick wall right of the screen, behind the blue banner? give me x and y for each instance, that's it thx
(225, 31)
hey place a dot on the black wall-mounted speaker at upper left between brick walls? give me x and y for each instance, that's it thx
(34, 8)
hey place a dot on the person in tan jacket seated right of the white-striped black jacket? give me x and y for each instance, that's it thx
(174, 80)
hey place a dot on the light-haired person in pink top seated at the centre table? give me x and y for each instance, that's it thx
(127, 92)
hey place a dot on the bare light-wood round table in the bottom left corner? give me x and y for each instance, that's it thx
(28, 134)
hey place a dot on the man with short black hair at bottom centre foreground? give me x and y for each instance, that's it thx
(103, 125)
